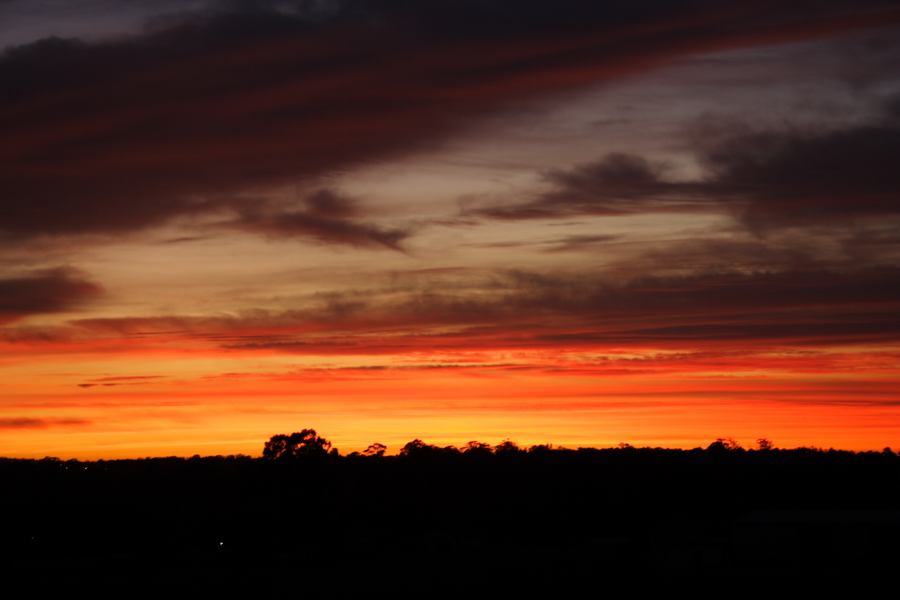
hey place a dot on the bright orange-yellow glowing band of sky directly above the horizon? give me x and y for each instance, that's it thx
(529, 397)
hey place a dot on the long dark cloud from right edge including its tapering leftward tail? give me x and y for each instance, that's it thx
(768, 179)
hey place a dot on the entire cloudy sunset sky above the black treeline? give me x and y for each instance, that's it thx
(570, 222)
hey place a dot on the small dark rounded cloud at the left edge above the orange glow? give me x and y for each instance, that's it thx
(46, 291)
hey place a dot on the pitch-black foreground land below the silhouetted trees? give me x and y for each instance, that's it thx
(435, 522)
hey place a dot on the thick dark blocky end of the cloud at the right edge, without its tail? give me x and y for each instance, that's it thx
(799, 178)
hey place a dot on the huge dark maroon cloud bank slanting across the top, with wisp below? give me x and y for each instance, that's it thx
(119, 135)
